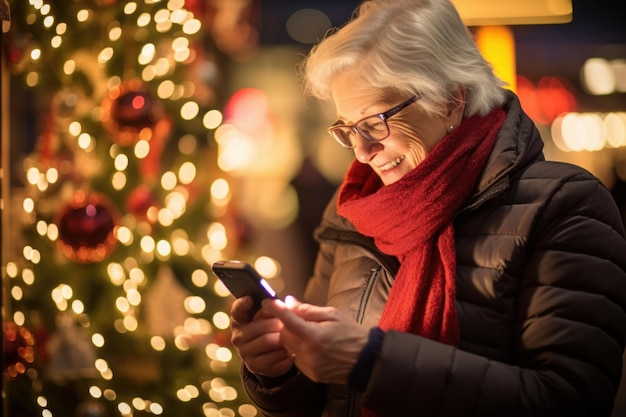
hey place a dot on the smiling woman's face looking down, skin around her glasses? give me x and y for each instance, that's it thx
(412, 133)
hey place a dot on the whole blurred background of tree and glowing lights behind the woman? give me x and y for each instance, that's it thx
(143, 140)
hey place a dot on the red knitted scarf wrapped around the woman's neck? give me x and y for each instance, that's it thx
(412, 220)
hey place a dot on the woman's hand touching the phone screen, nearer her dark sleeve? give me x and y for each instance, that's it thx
(323, 342)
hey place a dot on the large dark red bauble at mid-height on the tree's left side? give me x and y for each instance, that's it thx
(86, 228)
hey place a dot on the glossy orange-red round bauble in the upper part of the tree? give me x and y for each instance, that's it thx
(130, 112)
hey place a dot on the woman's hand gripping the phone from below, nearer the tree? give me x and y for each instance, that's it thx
(257, 340)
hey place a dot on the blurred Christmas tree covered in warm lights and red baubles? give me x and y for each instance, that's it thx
(121, 210)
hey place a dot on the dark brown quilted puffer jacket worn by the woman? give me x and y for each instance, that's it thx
(541, 296)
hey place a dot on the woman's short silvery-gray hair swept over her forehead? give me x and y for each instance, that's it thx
(407, 47)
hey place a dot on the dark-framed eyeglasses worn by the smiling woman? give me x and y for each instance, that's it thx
(373, 128)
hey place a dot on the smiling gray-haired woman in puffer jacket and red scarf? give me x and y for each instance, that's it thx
(459, 273)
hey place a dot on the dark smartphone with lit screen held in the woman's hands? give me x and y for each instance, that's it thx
(242, 279)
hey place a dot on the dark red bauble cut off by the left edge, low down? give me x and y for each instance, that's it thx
(19, 348)
